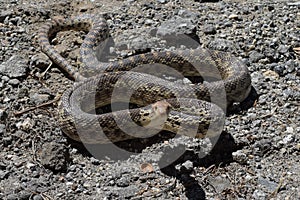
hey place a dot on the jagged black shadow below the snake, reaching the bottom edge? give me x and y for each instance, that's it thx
(221, 154)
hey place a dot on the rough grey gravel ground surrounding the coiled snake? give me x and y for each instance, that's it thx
(256, 157)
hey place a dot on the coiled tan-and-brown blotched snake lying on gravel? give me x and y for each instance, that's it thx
(181, 108)
